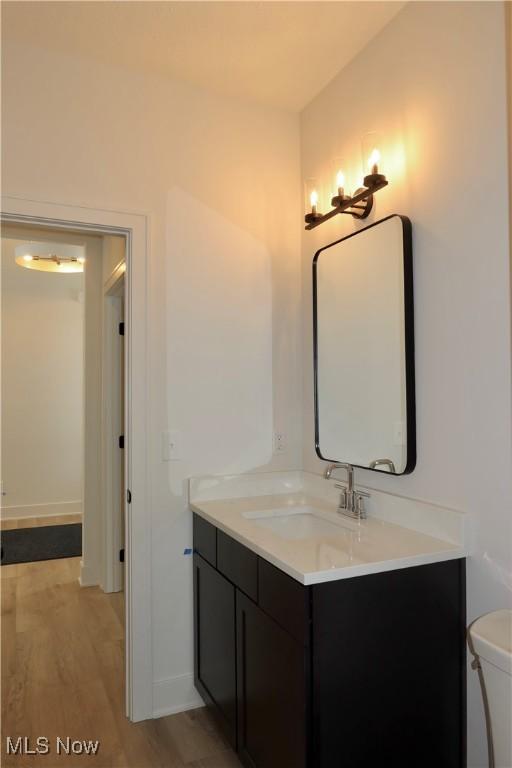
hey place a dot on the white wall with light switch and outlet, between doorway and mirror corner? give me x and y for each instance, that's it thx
(220, 179)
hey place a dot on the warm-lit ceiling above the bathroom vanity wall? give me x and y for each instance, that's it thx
(277, 53)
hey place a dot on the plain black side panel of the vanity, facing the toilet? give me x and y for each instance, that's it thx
(389, 669)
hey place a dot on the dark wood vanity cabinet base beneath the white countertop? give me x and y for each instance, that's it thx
(356, 673)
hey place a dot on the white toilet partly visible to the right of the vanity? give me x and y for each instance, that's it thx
(490, 641)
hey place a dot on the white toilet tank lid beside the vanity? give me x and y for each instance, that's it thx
(490, 637)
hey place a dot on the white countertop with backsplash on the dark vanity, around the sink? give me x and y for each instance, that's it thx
(372, 545)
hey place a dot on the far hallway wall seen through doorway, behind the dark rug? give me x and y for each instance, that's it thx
(42, 389)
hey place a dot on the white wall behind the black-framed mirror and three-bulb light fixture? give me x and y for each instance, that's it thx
(434, 83)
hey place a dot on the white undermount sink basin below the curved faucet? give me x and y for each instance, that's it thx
(296, 523)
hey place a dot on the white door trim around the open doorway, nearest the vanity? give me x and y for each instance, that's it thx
(135, 228)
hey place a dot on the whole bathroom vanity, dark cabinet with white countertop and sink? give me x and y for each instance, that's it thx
(320, 648)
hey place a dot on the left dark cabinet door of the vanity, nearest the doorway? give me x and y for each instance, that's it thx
(215, 656)
